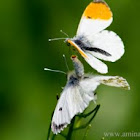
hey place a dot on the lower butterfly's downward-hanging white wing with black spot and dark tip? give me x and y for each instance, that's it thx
(73, 100)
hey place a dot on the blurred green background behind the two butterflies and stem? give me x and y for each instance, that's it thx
(28, 93)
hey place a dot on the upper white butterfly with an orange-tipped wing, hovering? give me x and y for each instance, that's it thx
(92, 41)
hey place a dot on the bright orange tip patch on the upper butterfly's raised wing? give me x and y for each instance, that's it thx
(98, 10)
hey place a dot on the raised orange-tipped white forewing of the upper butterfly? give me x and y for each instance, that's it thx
(96, 17)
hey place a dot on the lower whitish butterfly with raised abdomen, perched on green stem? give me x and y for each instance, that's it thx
(78, 93)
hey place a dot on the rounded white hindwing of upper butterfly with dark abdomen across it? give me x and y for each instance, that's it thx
(106, 45)
